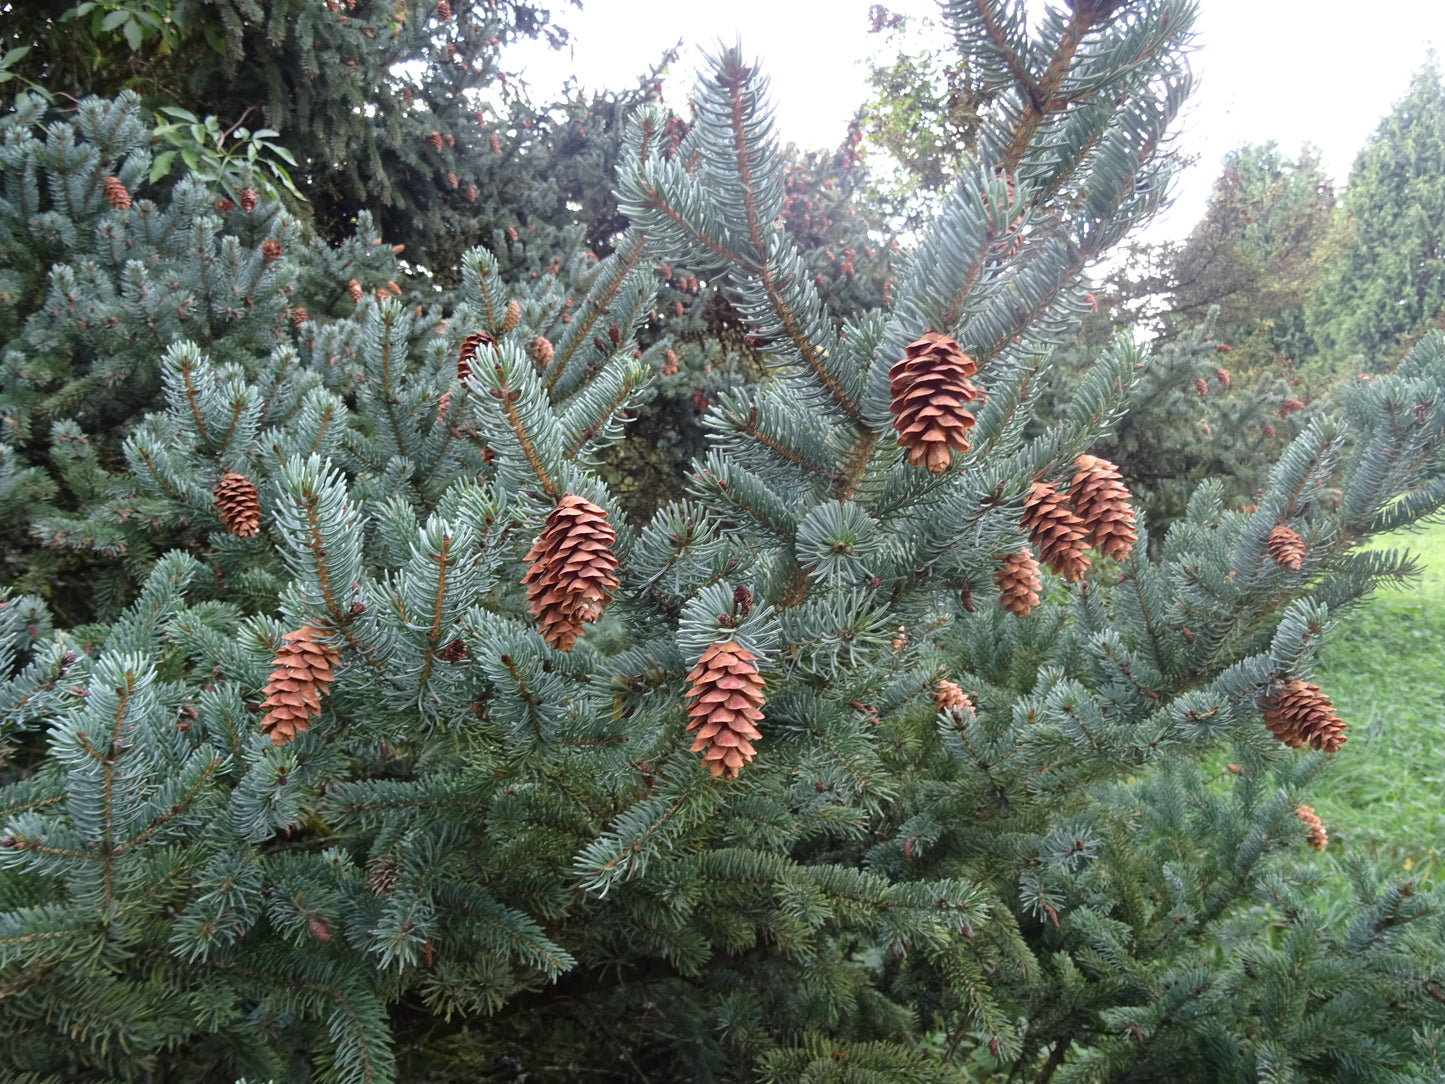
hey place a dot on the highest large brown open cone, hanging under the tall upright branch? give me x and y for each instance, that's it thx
(930, 388)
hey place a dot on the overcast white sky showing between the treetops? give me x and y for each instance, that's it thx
(1294, 72)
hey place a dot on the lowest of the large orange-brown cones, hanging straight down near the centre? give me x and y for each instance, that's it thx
(726, 702)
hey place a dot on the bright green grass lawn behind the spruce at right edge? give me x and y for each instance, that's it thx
(1384, 793)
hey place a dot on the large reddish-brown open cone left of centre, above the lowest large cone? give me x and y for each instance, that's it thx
(571, 577)
